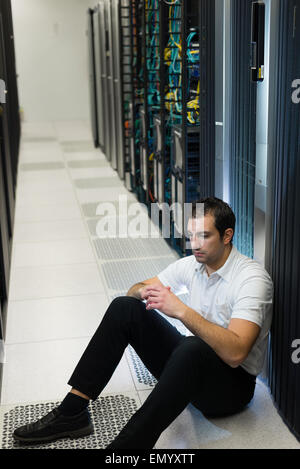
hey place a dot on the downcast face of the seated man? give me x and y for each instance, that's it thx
(207, 246)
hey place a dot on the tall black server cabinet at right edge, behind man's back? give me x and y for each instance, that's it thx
(285, 270)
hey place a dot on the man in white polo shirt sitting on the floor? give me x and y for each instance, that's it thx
(215, 368)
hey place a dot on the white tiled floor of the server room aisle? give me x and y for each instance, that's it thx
(63, 278)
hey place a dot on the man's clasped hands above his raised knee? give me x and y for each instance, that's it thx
(161, 298)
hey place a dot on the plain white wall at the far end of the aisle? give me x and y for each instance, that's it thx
(52, 58)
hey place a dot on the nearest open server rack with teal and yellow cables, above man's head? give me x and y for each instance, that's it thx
(192, 136)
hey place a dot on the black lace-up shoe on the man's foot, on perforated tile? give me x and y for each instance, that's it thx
(55, 425)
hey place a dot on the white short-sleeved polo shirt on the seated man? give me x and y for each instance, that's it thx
(241, 288)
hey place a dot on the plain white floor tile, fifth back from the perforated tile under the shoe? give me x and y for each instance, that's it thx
(49, 231)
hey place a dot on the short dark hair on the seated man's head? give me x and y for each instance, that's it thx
(221, 211)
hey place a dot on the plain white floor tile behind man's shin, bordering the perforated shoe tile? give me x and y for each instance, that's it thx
(40, 371)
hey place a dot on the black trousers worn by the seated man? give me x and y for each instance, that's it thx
(187, 370)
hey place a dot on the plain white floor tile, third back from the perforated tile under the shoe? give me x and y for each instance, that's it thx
(52, 281)
